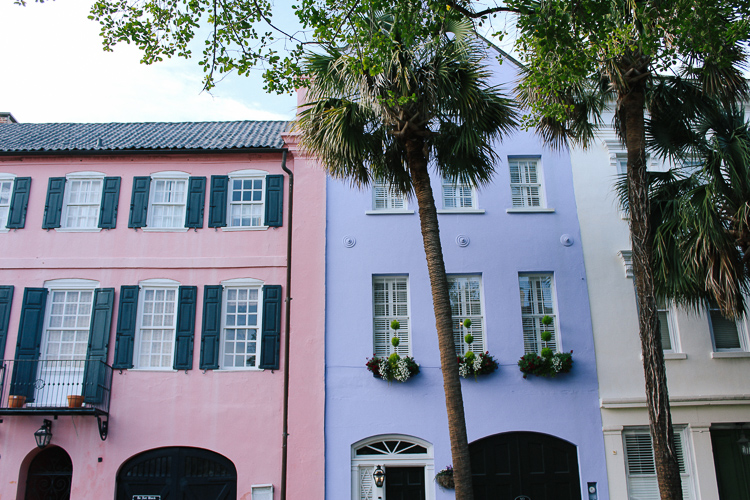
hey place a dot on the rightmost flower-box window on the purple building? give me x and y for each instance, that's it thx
(536, 303)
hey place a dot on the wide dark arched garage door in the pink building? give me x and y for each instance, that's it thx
(178, 474)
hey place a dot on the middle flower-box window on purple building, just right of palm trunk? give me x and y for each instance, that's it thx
(466, 302)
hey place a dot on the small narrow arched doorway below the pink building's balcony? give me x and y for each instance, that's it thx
(49, 476)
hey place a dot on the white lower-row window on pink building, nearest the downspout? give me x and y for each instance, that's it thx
(241, 327)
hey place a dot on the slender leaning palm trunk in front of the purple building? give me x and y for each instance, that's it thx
(443, 318)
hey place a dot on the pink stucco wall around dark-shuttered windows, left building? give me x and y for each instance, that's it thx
(234, 413)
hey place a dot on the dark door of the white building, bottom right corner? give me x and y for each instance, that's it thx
(732, 467)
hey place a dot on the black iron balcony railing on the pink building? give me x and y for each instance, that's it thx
(77, 386)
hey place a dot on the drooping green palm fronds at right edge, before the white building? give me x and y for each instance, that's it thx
(701, 213)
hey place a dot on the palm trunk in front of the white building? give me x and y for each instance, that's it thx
(631, 114)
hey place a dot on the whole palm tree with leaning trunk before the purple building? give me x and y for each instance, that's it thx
(430, 104)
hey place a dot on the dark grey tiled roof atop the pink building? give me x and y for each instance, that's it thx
(92, 137)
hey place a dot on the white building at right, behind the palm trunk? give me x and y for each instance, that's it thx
(707, 357)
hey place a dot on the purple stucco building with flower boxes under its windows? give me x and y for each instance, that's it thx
(513, 254)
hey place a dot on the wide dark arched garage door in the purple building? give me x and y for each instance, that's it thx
(517, 464)
